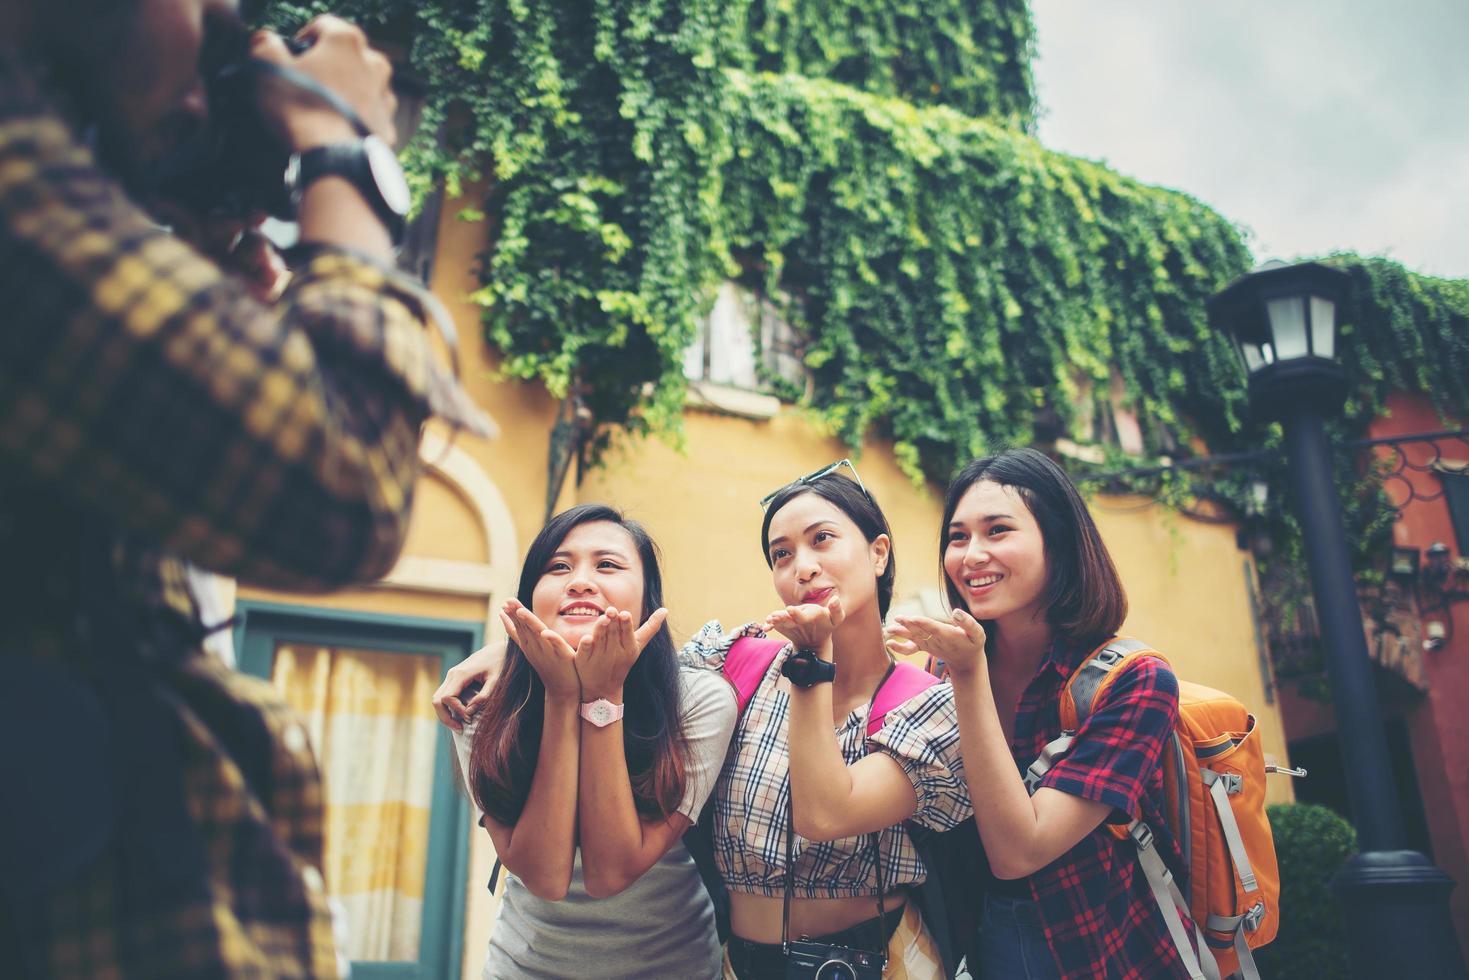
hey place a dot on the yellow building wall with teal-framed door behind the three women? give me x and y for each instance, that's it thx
(362, 663)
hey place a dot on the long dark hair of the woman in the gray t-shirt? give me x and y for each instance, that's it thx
(508, 737)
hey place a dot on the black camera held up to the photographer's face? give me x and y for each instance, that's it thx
(233, 167)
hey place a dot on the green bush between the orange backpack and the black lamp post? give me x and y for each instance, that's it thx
(1313, 844)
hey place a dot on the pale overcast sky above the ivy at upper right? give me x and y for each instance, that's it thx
(1318, 126)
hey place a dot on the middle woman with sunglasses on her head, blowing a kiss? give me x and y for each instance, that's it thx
(804, 757)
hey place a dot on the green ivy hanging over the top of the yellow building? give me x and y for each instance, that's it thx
(957, 284)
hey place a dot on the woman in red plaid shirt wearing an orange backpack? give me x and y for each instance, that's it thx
(1035, 594)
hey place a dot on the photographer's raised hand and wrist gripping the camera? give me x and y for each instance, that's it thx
(333, 211)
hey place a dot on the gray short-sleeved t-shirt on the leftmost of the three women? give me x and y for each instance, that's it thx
(663, 923)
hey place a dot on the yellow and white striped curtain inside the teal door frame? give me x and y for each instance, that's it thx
(371, 721)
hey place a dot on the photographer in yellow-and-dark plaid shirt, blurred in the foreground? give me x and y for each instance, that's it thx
(161, 816)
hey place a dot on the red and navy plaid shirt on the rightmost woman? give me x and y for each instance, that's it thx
(1095, 904)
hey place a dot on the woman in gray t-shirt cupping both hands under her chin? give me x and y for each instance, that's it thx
(593, 754)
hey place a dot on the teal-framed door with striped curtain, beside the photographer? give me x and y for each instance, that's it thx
(396, 832)
